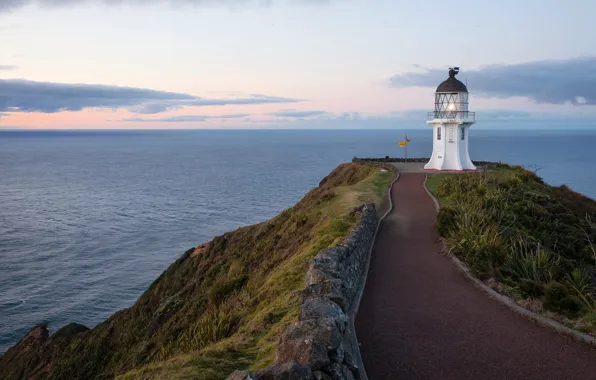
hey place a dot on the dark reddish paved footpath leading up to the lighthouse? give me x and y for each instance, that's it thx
(421, 319)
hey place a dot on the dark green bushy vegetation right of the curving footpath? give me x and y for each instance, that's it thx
(526, 239)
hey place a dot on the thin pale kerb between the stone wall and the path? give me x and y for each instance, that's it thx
(359, 293)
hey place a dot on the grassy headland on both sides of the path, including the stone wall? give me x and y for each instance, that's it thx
(273, 300)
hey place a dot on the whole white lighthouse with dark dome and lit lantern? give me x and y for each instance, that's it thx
(451, 121)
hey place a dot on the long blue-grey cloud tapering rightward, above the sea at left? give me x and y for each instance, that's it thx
(17, 95)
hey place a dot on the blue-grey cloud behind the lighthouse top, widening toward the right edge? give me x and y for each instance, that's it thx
(551, 81)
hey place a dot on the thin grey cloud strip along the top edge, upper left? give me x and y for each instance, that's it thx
(8, 5)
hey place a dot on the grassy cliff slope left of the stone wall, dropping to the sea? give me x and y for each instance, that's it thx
(220, 306)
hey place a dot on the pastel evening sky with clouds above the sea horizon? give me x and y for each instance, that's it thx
(124, 64)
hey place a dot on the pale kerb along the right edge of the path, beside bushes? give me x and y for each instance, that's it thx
(539, 319)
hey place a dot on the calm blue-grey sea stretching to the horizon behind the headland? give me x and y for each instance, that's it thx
(89, 219)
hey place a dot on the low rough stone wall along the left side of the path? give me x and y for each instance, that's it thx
(318, 346)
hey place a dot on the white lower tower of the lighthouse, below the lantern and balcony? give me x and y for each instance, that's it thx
(450, 145)
